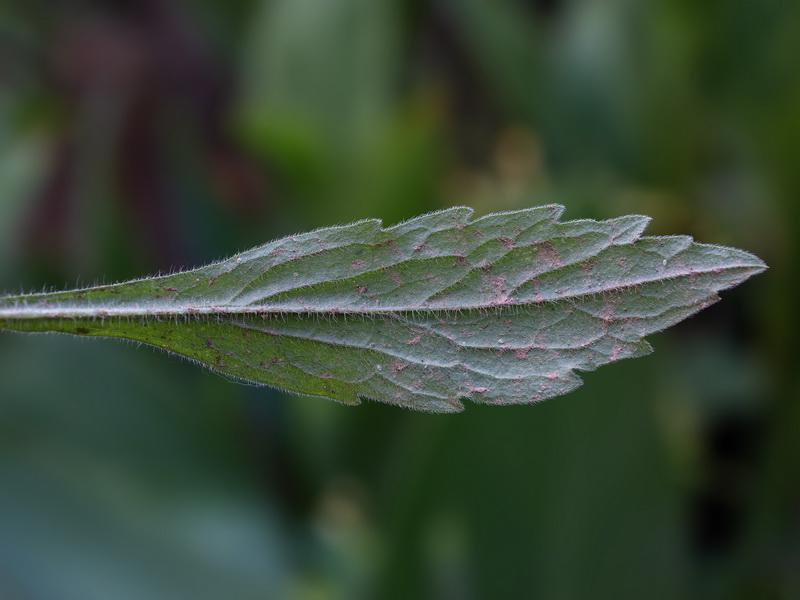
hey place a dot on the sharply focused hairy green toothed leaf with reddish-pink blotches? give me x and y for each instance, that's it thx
(501, 310)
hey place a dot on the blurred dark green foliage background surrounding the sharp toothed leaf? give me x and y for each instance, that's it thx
(149, 135)
